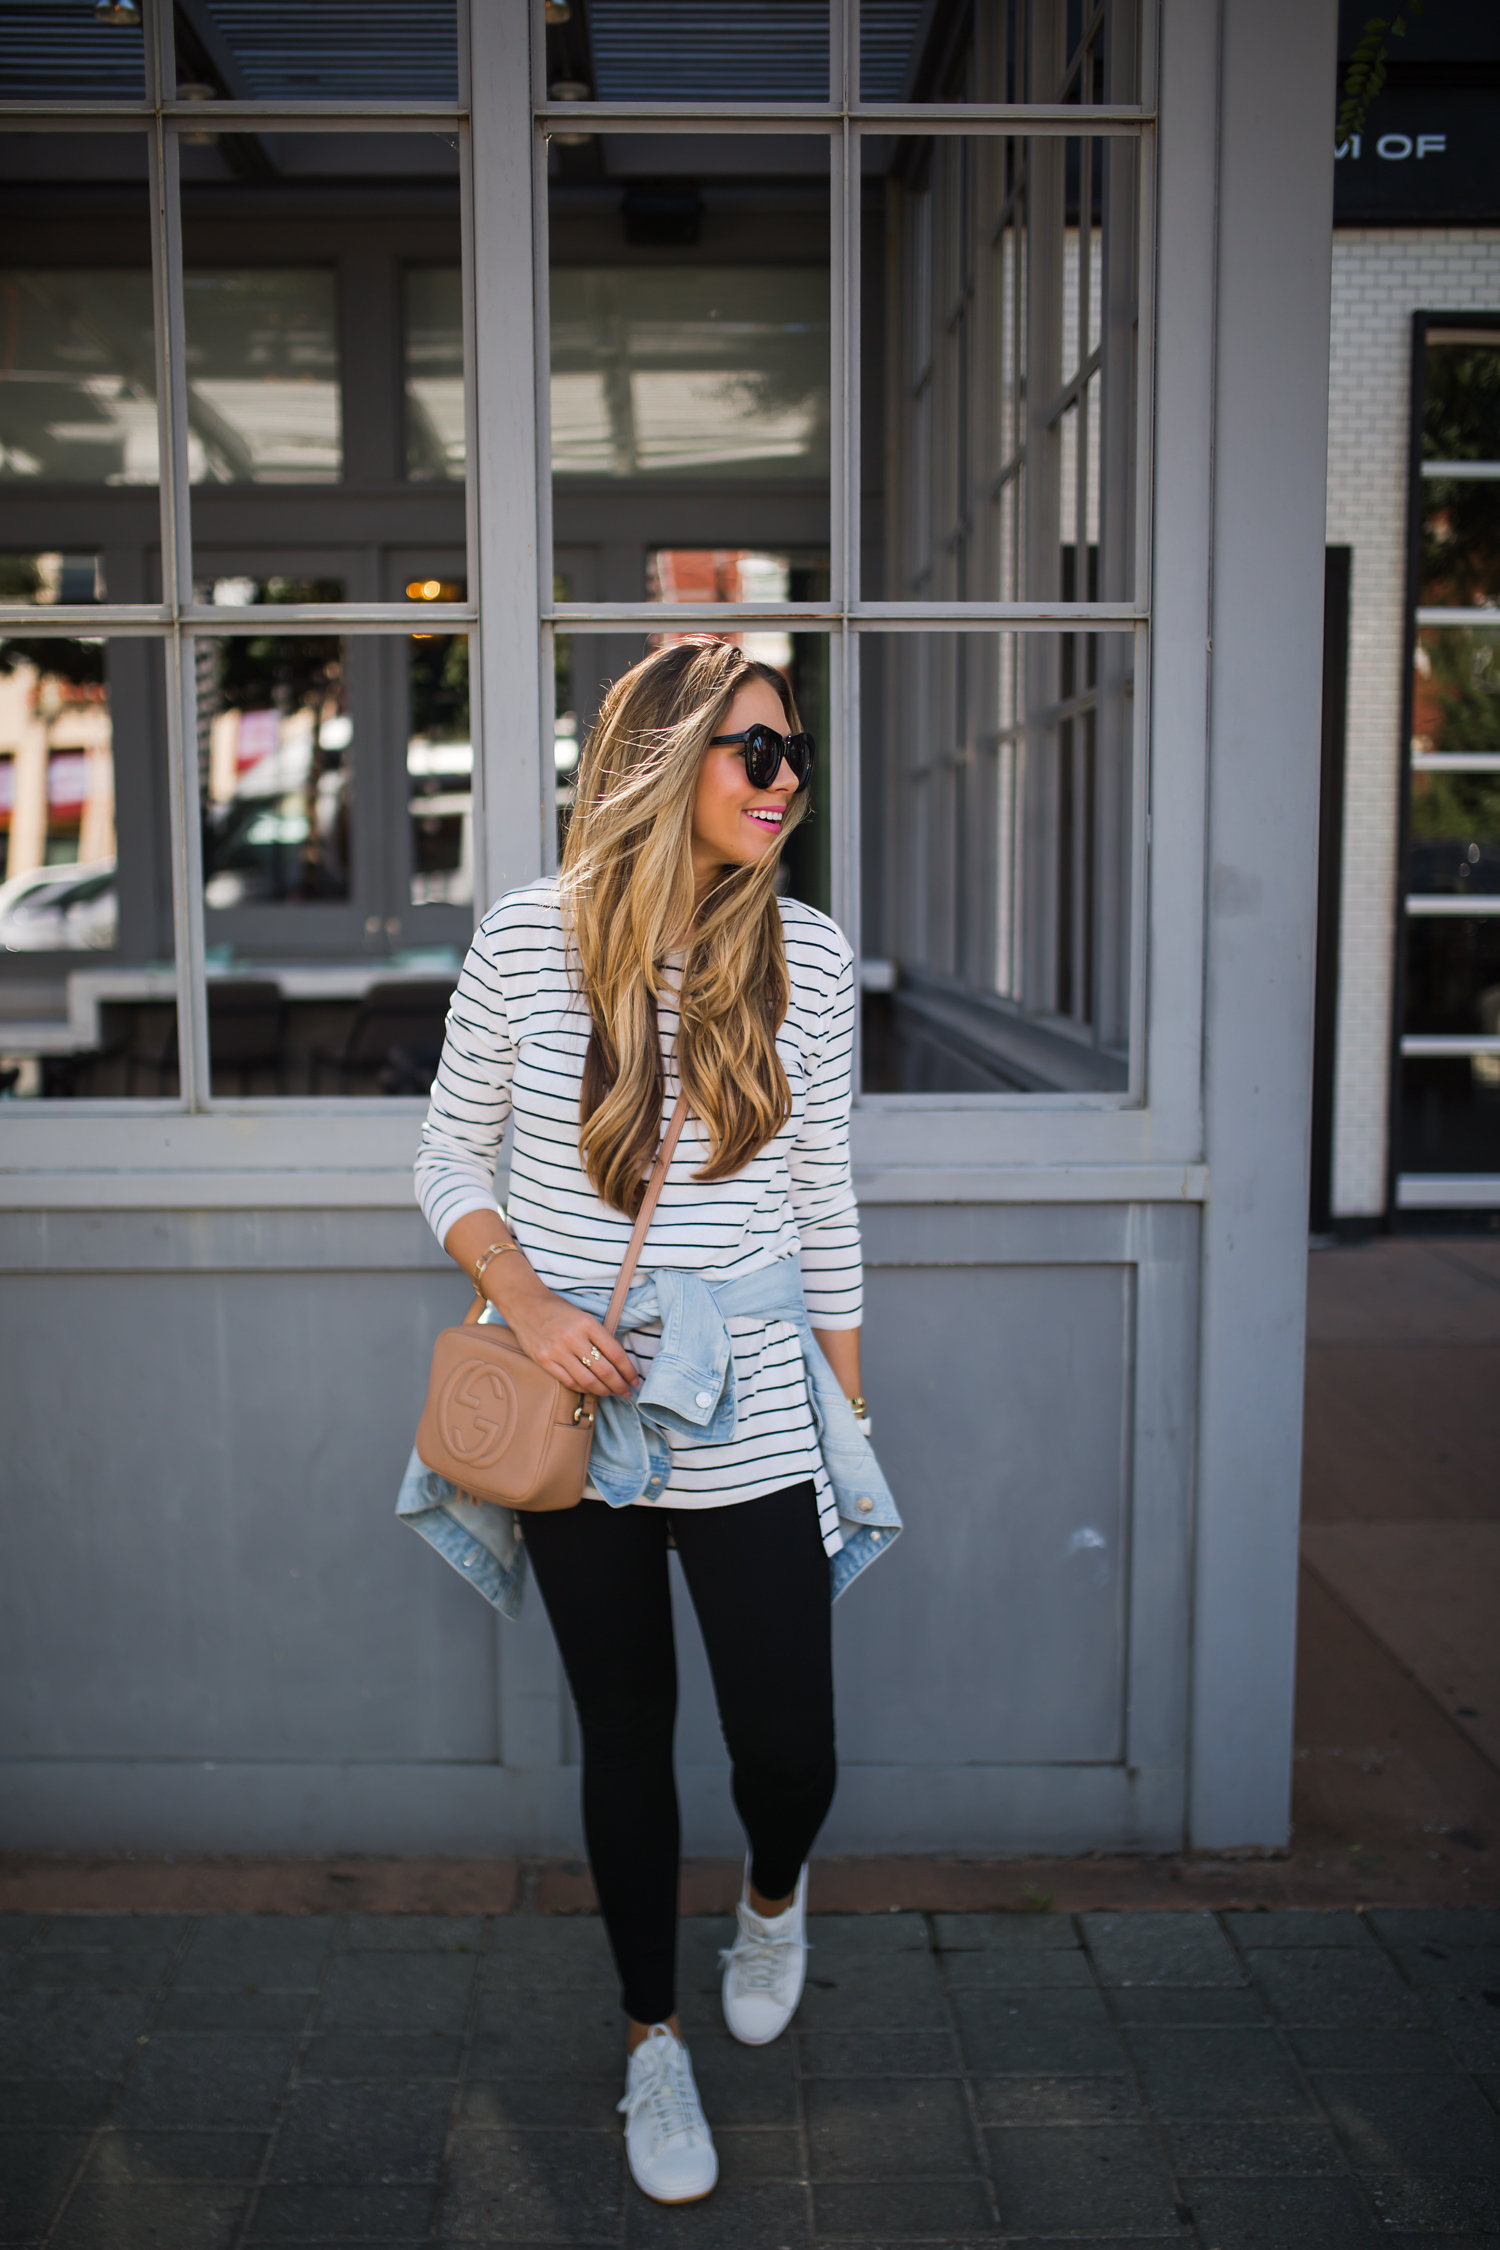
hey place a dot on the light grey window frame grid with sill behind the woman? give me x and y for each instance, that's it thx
(199, 1151)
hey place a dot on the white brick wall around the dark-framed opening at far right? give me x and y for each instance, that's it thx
(1382, 276)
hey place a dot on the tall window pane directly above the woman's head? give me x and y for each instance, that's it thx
(689, 350)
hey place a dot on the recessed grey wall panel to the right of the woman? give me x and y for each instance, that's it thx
(1002, 1608)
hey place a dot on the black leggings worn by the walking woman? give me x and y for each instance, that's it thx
(759, 1581)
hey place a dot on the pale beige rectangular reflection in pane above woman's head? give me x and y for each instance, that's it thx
(689, 370)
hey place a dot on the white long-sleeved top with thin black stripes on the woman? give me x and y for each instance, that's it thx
(518, 1034)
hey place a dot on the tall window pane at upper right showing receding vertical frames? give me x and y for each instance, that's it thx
(1009, 282)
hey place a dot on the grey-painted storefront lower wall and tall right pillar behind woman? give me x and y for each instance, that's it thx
(1085, 1324)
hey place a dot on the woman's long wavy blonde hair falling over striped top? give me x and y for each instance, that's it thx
(631, 901)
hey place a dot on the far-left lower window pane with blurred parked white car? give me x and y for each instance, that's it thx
(87, 937)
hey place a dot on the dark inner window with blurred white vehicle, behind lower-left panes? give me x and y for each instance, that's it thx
(275, 757)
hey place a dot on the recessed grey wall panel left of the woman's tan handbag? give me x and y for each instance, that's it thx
(206, 1560)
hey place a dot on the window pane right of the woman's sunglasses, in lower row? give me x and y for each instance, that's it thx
(997, 863)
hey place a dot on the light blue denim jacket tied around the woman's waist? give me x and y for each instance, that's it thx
(689, 1389)
